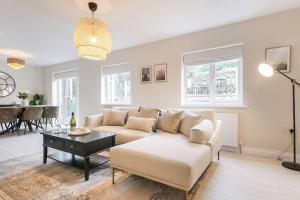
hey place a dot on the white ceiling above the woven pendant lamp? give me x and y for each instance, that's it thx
(44, 28)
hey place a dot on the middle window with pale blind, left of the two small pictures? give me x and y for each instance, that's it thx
(116, 84)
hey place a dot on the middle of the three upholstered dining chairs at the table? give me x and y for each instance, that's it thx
(31, 116)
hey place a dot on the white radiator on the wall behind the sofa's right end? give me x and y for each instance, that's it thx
(229, 130)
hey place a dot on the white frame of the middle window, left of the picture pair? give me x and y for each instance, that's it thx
(102, 97)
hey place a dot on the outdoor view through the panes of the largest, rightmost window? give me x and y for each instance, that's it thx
(214, 82)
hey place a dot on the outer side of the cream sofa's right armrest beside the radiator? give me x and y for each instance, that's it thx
(215, 140)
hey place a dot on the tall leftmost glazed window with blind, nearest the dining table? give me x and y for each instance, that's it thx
(65, 93)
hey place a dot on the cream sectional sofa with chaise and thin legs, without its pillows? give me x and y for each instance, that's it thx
(162, 156)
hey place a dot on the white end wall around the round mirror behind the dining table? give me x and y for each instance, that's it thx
(28, 78)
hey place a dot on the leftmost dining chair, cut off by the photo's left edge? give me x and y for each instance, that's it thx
(8, 119)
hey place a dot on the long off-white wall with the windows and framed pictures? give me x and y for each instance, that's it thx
(266, 120)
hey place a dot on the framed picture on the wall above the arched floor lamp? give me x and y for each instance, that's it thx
(279, 58)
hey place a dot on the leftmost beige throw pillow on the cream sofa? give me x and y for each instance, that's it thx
(113, 117)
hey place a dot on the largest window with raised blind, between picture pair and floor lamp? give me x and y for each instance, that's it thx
(213, 77)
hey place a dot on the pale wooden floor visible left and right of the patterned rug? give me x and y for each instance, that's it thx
(234, 177)
